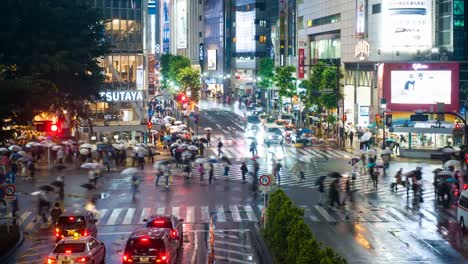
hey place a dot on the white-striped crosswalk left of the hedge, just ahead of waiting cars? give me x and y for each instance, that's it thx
(134, 216)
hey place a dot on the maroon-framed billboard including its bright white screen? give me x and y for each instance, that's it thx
(417, 86)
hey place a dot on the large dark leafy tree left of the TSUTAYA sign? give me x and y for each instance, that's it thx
(49, 52)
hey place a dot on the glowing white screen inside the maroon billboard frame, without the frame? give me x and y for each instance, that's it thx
(422, 87)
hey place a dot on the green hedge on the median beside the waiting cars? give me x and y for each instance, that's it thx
(289, 237)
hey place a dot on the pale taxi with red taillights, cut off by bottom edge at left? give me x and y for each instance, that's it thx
(77, 249)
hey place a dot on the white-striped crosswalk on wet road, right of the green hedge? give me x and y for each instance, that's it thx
(359, 213)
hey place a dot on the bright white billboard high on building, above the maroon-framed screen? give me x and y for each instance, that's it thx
(407, 24)
